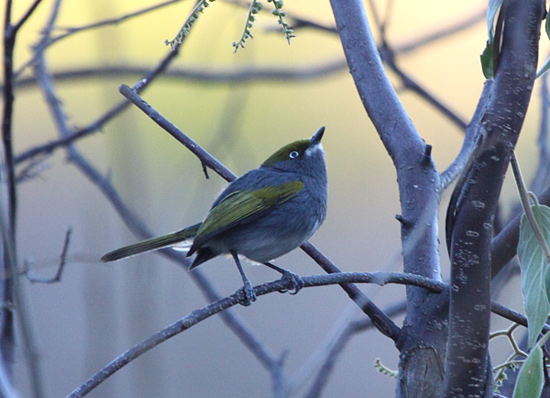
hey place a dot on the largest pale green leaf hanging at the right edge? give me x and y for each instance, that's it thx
(534, 270)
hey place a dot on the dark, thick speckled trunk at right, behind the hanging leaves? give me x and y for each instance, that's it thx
(478, 199)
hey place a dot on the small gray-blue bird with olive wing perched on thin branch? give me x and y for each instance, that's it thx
(262, 215)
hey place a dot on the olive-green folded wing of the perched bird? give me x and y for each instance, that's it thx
(243, 206)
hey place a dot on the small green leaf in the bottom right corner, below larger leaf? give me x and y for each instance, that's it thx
(531, 376)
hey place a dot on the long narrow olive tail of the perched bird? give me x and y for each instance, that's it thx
(152, 244)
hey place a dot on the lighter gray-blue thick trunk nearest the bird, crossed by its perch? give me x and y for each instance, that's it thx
(422, 339)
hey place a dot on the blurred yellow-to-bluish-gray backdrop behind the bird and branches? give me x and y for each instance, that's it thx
(98, 311)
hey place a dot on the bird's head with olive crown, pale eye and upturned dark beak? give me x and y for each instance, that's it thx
(303, 156)
